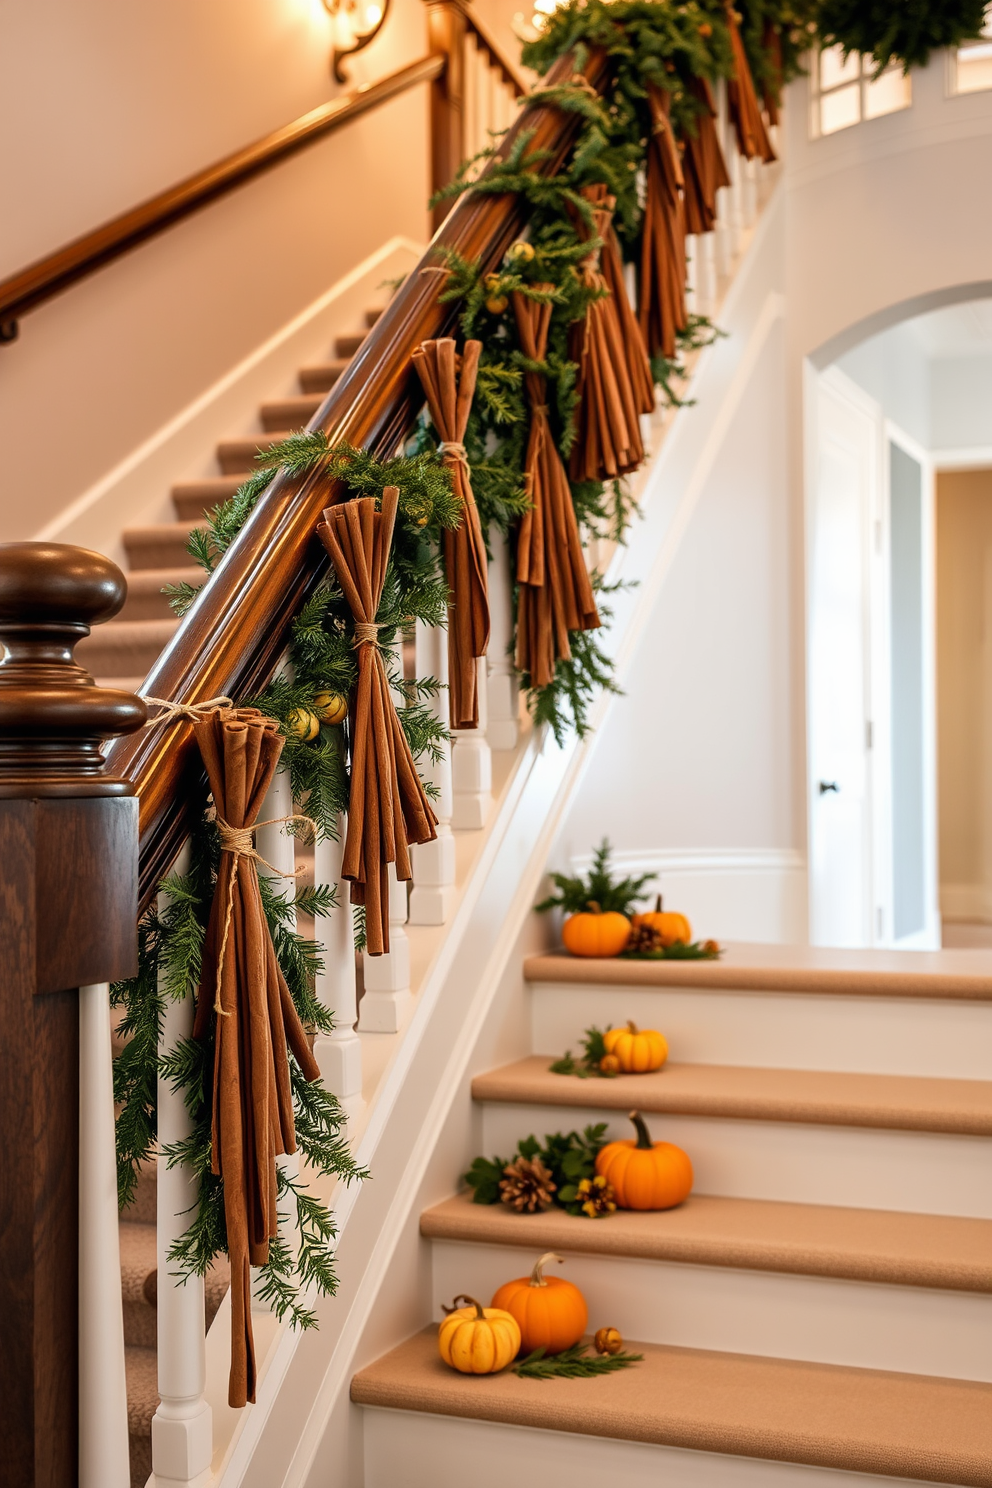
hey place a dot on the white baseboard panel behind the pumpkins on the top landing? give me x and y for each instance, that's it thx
(727, 894)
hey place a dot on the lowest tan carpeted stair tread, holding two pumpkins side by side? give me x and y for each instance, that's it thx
(859, 1420)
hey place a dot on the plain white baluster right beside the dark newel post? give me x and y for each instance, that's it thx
(103, 1392)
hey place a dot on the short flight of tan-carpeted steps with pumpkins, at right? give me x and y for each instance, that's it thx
(822, 1301)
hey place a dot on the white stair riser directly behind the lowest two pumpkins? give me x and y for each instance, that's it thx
(782, 1316)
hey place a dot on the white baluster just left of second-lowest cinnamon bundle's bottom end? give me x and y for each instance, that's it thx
(340, 1053)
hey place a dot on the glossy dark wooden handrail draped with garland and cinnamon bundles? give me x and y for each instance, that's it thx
(239, 629)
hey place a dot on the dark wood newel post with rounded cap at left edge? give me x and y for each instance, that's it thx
(69, 882)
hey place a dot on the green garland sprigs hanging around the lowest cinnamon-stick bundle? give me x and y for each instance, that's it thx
(301, 1263)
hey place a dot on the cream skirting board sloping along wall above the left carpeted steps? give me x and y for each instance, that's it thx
(138, 489)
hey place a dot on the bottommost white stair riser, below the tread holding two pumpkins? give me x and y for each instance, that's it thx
(417, 1450)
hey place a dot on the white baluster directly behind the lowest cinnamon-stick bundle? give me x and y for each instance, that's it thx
(182, 1426)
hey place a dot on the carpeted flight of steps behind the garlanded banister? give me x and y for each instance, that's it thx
(121, 654)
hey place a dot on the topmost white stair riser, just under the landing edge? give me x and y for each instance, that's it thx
(792, 1030)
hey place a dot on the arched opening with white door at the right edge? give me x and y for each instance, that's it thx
(899, 440)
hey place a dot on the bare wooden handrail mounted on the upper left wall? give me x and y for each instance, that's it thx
(77, 261)
